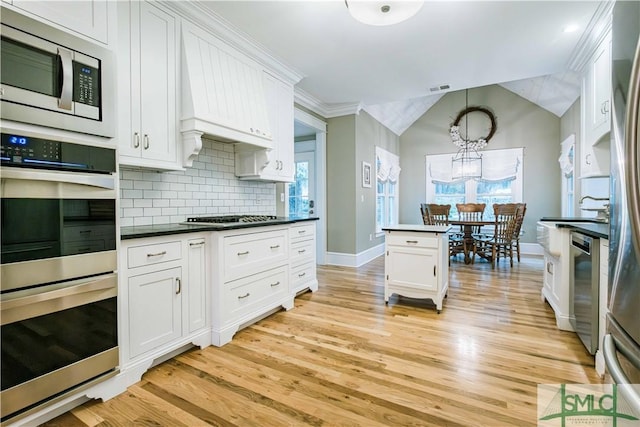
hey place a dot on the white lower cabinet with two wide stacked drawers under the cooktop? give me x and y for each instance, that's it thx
(251, 278)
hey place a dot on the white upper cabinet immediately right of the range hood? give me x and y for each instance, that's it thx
(279, 102)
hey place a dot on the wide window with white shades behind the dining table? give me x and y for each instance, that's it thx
(501, 181)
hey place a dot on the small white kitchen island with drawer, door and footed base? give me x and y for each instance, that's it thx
(416, 262)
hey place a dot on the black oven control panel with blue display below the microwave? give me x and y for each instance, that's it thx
(25, 151)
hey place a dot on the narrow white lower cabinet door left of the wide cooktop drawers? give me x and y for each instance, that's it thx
(196, 285)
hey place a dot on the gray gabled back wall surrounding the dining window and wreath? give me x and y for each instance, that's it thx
(520, 123)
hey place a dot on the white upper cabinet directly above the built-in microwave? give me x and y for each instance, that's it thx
(89, 18)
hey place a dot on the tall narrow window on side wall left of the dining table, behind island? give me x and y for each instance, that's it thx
(387, 172)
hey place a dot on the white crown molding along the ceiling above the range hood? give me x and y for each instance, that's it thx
(213, 23)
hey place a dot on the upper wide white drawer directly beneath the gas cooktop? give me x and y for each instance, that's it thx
(249, 253)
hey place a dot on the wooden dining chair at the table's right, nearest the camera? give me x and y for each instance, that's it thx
(502, 240)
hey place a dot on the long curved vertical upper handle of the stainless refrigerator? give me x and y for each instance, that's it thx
(631, 150)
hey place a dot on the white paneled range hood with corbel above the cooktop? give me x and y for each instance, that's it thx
(223, 97)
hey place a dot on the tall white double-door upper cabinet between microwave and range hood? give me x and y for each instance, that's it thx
(148, 85)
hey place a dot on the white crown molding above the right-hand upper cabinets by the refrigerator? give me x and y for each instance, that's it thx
(594, 34)
